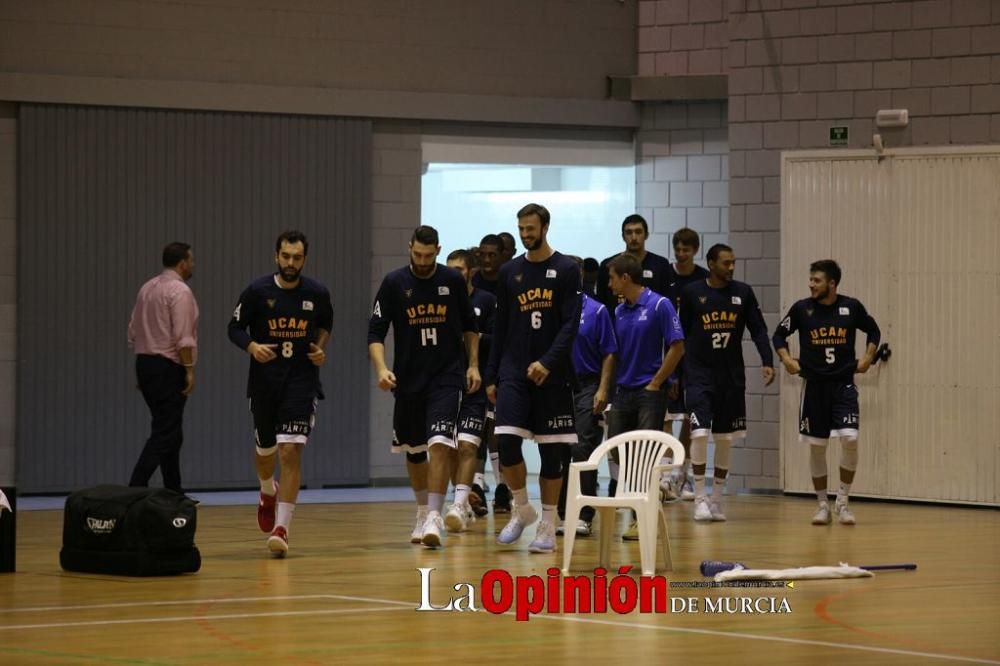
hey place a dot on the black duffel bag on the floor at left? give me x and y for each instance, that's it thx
(129, 532)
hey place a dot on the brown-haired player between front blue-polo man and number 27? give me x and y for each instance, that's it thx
(685, 271)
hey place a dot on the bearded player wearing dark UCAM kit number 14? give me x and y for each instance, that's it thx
(428, 307)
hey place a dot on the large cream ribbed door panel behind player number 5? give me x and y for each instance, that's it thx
(917, 234)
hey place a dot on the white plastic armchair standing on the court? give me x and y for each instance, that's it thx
(639, 456)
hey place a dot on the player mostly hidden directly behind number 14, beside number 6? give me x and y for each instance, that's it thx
(472, 415)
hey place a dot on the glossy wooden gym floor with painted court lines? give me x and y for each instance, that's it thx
(347, 593)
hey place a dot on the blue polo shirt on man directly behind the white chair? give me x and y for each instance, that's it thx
(644, 330)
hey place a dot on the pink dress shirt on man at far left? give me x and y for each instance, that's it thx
(165, 318)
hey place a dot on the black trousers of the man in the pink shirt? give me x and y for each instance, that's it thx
(161, 382)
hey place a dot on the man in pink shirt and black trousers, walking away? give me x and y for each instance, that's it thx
(163, 333)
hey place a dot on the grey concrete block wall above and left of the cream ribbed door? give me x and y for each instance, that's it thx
(798, 67)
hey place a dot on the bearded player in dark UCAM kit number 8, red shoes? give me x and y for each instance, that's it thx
(283, 321)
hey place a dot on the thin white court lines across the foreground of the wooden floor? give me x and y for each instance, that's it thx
(405, 605)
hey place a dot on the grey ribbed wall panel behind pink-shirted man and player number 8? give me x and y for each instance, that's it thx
(100, 192)
